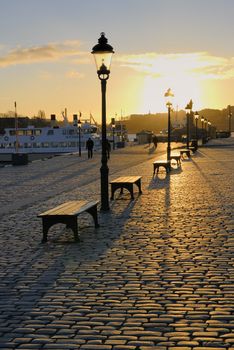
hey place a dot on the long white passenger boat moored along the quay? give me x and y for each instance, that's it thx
(50, 140)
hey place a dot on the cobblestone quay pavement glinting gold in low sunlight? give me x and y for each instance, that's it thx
(157, 274)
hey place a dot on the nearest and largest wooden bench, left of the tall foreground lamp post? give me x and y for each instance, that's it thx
(67, 213)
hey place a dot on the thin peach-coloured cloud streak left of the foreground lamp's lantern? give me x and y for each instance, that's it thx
(50, 52)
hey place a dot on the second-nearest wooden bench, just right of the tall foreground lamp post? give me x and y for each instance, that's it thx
(125, 182)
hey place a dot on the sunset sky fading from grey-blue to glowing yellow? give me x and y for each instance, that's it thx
(46, 62)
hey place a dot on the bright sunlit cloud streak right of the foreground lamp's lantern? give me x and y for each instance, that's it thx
(199, 64)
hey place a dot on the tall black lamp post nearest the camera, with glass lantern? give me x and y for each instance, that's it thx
(102, 54)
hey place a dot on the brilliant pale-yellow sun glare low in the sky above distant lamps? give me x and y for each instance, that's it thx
(186, 74)
